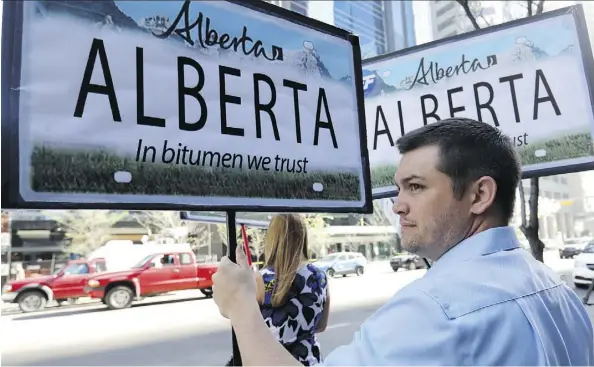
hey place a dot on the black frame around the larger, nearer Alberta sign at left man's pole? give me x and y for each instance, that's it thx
(12, 32)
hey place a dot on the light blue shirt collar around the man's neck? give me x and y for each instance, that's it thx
(483, 243)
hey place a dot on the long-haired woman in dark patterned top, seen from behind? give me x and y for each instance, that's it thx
(293, 295)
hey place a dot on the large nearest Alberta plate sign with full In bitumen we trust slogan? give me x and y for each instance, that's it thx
(165, 104)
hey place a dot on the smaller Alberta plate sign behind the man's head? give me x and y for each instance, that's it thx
(529, 79)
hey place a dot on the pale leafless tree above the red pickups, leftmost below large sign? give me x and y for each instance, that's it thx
(87, 229)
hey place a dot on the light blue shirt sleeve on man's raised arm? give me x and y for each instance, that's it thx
(411, 329)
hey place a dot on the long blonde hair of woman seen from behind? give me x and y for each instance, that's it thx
(285, 251)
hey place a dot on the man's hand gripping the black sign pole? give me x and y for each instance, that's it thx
(234, 285)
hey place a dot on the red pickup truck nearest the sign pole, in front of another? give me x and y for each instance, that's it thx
(155, 274)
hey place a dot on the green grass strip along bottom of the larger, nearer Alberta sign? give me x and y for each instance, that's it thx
(68, 171)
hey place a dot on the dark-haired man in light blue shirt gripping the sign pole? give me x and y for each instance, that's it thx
(485, 301)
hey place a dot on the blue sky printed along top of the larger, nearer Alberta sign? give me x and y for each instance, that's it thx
(335, 55)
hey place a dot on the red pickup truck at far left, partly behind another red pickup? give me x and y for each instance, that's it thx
(32, 294)
